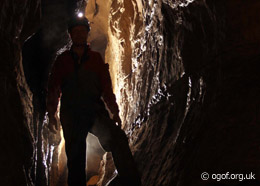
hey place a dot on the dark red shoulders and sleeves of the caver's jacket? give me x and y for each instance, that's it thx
(64, 66)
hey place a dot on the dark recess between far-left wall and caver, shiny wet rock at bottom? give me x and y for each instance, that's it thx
(39, 52)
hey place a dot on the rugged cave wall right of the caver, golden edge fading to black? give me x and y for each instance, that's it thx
(188, 88)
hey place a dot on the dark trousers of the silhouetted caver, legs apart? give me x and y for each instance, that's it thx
(111, 138)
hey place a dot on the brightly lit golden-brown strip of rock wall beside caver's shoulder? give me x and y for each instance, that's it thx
(125, 31)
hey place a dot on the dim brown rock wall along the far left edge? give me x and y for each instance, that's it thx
(17, 142)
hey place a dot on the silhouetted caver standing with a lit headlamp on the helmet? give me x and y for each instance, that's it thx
(81, 78)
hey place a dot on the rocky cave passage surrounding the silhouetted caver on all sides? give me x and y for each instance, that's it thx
(185, 74)
